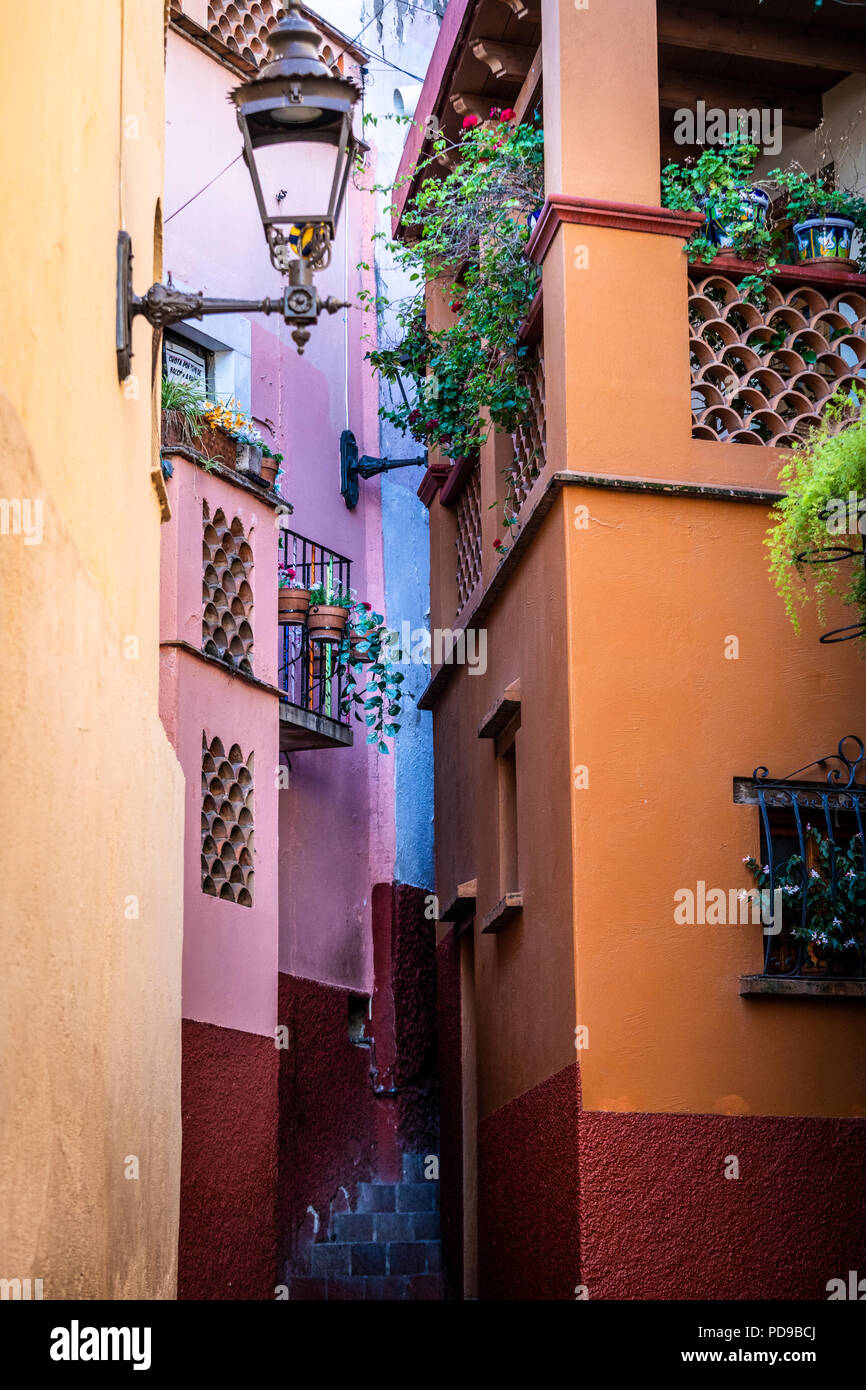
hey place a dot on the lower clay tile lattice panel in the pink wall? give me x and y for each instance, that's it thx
(229, 842)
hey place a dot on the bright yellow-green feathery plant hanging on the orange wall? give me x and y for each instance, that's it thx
(819, 480)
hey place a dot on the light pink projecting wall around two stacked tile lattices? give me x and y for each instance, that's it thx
(230, 951)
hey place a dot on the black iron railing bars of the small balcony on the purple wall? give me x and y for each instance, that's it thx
(309, 672)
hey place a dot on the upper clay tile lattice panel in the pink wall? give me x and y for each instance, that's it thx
(227, 594)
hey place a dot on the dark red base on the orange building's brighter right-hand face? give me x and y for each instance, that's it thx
(661, 1221)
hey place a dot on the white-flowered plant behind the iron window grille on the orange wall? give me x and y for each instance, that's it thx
(836, 908)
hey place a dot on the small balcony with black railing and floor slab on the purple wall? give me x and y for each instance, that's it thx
(311, 675)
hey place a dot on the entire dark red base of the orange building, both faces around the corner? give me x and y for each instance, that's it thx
(658, 1217)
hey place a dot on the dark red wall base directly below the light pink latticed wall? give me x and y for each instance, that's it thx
(229, 1166)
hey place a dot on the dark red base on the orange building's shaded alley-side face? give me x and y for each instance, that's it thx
(529, 1195)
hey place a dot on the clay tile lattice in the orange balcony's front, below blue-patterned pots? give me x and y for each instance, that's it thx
(764, 375)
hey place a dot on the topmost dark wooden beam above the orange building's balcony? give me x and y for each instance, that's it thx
(760, 40)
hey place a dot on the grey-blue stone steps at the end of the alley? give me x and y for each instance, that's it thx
(387, 1249)
